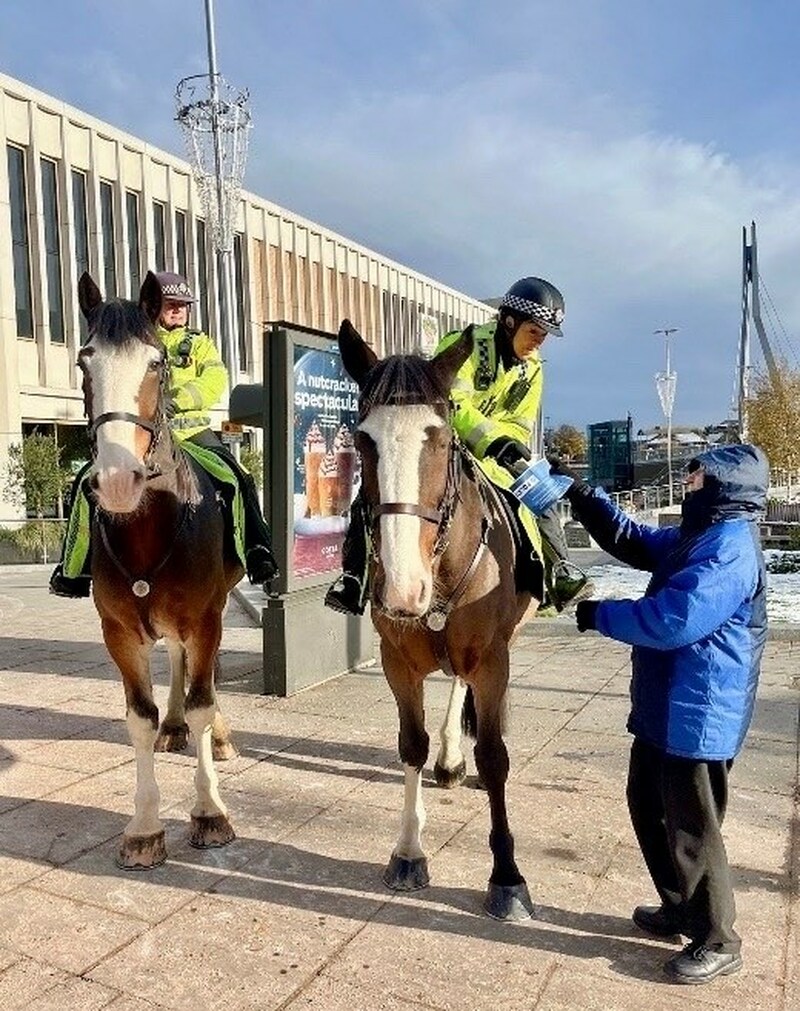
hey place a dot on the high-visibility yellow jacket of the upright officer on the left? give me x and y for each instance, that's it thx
(199, 379)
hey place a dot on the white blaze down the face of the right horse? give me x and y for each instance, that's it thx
(400, 434)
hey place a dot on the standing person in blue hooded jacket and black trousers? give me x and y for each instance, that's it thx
(698, 635)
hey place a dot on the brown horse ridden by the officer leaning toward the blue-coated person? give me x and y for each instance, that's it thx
(443, 591)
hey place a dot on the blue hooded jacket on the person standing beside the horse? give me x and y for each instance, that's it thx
(698, 633)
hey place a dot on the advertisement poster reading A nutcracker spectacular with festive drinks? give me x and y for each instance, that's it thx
(327, 473)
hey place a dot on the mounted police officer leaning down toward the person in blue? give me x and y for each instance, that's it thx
(496, 397)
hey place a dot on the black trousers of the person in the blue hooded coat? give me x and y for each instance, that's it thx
(677, 807)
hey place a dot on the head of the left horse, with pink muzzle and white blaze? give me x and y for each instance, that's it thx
(125, 376)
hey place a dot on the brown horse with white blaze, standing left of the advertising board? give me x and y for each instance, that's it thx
(159, 567)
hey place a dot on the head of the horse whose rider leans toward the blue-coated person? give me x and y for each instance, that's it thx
(409, 464)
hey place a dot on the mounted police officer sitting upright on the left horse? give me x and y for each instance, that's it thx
(198, 381)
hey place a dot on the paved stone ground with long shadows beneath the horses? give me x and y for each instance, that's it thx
(294, 915)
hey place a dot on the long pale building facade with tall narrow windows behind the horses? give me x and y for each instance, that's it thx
(77, 196)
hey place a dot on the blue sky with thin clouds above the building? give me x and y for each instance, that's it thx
(613, 147)
